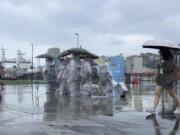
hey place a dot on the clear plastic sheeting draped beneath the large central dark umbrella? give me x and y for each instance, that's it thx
(86, 77)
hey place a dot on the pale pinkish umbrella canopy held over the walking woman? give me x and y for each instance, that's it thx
(158, 44)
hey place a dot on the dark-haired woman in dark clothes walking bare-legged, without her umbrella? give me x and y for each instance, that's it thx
(165, 79)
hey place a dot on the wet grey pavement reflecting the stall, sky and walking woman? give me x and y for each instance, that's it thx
(26, 110)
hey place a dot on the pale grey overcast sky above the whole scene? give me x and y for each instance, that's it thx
(106, 27)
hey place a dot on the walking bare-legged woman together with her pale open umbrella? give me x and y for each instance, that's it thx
(164, 76)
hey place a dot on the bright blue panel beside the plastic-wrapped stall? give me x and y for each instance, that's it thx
(117, 68)
